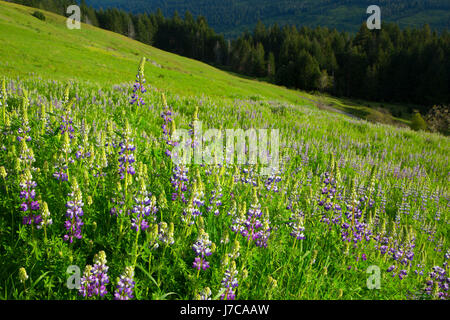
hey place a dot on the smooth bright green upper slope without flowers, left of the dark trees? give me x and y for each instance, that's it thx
(30, 46)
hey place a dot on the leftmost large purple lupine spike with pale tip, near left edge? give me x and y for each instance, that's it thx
(29, 205)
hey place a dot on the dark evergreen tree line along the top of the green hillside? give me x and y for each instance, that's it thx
(390, 64)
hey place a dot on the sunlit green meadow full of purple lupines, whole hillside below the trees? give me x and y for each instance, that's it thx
(87, 182)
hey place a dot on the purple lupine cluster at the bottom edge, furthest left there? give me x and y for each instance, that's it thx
(95, 278)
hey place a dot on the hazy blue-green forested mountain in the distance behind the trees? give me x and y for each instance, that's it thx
(231, 17)
